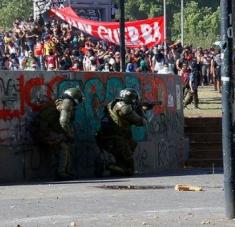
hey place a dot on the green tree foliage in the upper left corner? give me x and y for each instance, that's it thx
(13, 9)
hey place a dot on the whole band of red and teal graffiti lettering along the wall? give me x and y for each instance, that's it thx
(22, 94)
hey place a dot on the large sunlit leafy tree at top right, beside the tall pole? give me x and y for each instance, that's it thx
(201, 25)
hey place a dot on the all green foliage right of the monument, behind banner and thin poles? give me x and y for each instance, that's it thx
(202, 18)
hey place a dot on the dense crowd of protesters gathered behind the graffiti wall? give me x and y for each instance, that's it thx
(55, 45)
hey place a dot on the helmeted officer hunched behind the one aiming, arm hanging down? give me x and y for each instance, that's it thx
(55, 131)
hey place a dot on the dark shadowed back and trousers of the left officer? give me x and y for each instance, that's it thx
(50, 136)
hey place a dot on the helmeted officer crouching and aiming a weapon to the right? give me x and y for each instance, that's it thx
(114, 135)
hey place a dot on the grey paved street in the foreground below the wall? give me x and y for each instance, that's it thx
(61, 203)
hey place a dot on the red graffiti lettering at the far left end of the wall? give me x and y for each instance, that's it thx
(16, 93)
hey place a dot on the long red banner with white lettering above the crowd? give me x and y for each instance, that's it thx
(139, 33)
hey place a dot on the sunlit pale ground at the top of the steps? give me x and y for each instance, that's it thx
(209, 104)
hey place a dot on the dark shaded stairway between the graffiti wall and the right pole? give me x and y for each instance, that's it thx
(205, 141)
